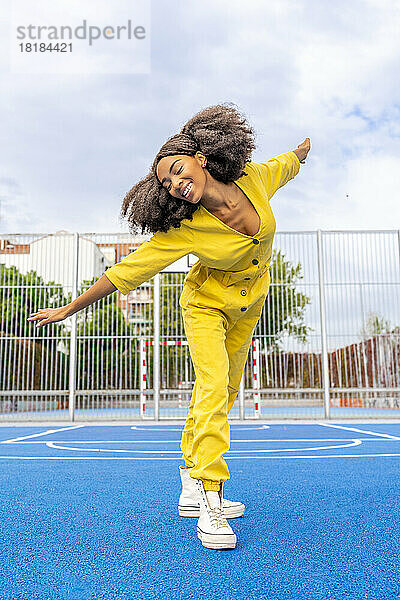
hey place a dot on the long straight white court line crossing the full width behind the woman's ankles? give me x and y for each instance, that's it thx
(143, 458)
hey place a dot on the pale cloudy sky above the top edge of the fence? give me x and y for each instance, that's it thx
(74, 144)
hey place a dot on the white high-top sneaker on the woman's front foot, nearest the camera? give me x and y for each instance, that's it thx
(213, 529)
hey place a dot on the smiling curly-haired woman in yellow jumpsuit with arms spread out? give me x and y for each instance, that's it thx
(204, 196)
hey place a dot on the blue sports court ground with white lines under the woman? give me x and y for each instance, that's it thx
(90, 512)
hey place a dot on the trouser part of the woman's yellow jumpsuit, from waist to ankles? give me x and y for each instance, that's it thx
(219, 342)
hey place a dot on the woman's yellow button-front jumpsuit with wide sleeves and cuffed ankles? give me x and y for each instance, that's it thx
(221, 301)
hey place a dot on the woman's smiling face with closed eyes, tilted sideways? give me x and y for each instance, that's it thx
(183, 176)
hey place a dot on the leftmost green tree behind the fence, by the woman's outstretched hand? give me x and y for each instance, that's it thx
(29, 356)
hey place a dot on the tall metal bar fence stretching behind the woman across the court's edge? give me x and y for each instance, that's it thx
(327, 344)
